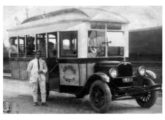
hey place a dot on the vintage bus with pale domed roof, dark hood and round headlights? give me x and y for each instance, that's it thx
(86, 51)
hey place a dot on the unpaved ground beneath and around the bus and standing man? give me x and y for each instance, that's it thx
(18, 93)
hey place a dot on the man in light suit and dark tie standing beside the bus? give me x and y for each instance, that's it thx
(37, 70)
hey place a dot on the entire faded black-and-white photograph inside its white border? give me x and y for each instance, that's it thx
(82, 59)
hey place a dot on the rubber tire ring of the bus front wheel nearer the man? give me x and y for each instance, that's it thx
(107, 95)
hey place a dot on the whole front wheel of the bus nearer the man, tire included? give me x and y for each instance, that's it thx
(100, 96)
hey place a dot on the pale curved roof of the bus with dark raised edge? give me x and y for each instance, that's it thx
(65, 19)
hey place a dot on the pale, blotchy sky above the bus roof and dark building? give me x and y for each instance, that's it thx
(139, 16)
